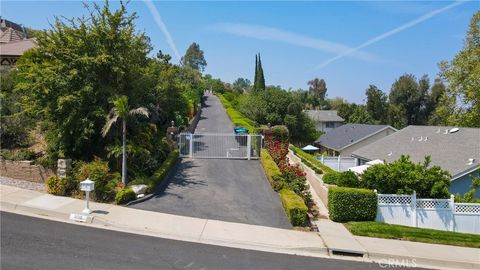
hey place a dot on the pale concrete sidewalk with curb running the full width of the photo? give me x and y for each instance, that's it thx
(332, 240)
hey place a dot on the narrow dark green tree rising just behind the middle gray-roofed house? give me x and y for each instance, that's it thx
(377, 104)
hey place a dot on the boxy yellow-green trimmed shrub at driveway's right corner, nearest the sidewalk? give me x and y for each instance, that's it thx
(295, 208)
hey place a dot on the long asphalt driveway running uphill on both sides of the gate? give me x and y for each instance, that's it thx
(228, 190)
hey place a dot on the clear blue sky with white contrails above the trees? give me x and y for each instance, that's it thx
(350, 44)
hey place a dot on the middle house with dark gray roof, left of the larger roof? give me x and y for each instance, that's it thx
(345, 139)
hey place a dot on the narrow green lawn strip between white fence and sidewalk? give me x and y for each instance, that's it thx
(383, 230)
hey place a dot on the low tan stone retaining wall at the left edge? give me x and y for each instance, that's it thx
(24, 170)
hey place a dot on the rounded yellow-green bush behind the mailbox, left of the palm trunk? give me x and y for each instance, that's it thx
(98, 172)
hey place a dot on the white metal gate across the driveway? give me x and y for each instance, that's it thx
(214, 145)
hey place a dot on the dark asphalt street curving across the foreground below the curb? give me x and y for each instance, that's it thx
(31, 243)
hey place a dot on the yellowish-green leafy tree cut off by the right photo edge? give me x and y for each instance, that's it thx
(463, 77)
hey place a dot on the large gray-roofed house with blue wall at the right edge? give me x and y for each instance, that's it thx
(456, 150)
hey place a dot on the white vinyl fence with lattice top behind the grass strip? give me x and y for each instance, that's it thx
(440, 214)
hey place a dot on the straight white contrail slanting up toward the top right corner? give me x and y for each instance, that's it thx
(383, 36)
